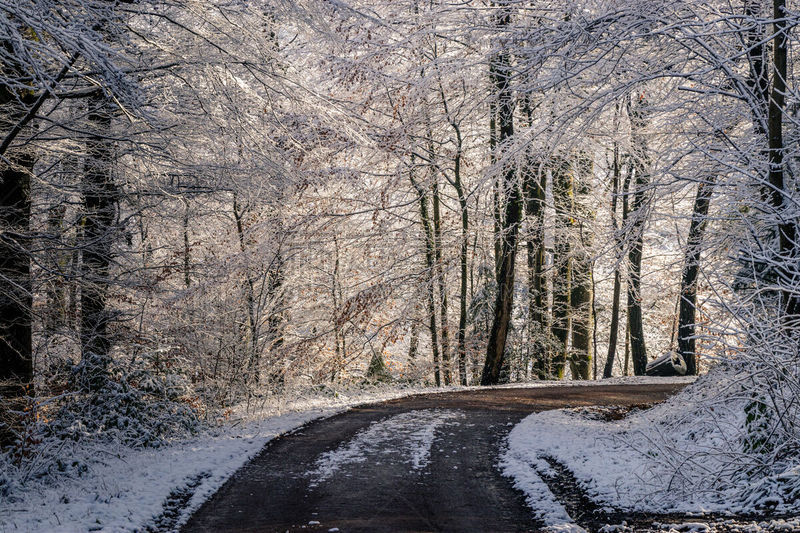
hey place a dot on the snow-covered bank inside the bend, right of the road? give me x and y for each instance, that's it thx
(678, 457)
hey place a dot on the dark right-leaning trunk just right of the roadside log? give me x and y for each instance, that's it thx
(691, 267)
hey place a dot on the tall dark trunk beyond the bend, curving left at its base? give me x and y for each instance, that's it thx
(495, 351)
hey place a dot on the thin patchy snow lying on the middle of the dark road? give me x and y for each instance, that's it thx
(405, 438)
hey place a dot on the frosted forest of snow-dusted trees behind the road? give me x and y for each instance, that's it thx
(206, 204)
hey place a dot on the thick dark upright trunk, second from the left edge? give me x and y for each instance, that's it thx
(100, 199)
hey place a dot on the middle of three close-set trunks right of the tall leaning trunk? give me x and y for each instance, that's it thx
(563, 192)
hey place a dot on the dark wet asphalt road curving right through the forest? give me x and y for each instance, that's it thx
(367, 470)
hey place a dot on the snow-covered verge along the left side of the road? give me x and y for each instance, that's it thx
(157, 489)
